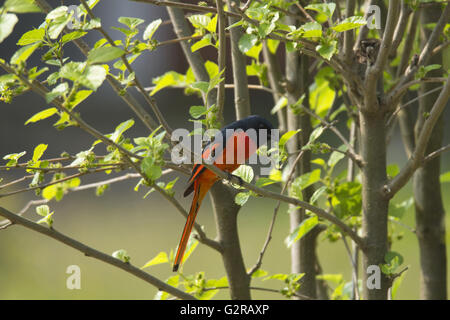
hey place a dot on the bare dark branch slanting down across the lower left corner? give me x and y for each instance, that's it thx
(91, 252)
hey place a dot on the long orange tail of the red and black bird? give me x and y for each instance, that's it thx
(200, 190)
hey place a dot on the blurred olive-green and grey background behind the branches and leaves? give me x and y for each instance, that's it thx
(33, 266)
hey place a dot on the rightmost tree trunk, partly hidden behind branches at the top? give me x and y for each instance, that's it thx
(430, 213)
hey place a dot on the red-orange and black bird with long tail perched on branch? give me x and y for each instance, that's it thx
(233, 139)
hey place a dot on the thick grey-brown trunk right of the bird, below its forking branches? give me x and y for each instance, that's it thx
(375, 204)
